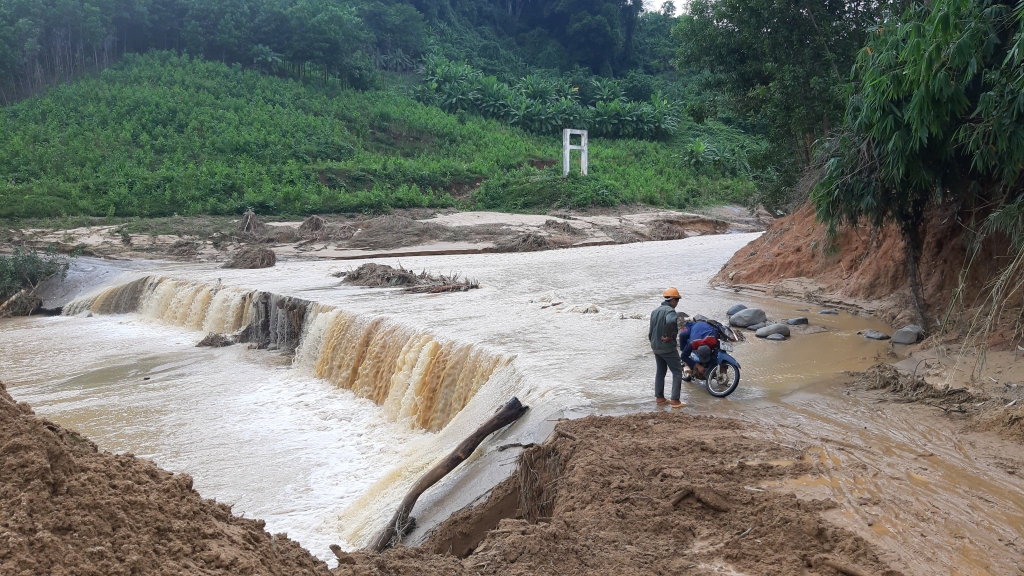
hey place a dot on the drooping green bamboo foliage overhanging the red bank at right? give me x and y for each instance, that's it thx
(936, 117)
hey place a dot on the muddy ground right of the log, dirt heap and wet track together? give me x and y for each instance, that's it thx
(930, 485)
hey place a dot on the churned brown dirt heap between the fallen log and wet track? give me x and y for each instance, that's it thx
(662, 493)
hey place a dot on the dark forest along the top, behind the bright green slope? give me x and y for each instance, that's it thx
(44, 43)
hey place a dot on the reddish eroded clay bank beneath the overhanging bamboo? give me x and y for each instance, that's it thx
(870, 264)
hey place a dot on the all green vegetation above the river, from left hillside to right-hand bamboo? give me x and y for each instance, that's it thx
(302, 106)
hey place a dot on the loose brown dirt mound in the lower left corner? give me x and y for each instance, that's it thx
(68, 509)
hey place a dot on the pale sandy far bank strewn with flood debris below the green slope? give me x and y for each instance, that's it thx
(351, 237)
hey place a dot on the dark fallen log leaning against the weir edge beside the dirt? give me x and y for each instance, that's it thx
(400, 523)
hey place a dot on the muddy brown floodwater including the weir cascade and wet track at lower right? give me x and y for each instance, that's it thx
(383, 384)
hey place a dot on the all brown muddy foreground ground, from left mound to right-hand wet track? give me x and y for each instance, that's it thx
(666, 492)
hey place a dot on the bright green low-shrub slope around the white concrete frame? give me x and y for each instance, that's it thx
(161, 135)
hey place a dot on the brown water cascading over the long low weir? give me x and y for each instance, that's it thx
(414, 377)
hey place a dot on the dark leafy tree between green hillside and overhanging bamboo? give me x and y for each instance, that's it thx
(781, 64)
